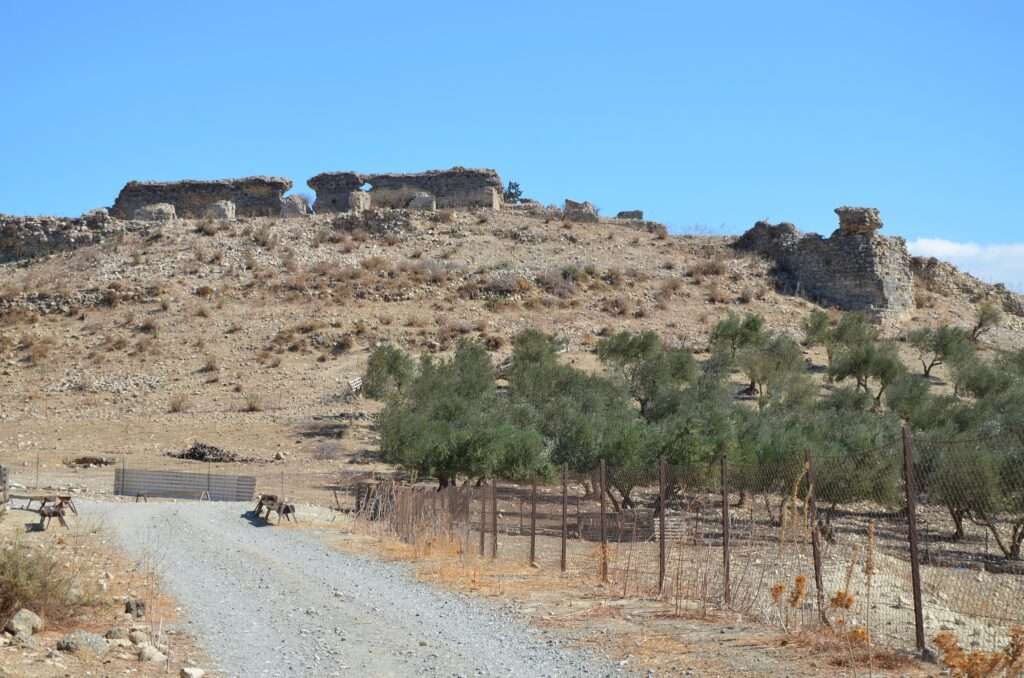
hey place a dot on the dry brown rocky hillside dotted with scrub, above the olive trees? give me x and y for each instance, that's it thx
(253, 325)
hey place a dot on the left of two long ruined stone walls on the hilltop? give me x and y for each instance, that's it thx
(252, 196)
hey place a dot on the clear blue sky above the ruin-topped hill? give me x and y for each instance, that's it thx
(708, 116)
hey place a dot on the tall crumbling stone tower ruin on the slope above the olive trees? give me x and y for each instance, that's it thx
(854, 270)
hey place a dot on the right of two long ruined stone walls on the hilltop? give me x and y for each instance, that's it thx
(459, 187)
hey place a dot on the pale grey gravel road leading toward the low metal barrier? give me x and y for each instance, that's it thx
(266, 602)
